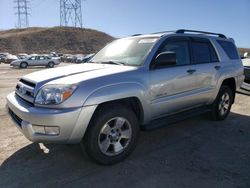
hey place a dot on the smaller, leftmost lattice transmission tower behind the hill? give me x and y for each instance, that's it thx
(22, 13)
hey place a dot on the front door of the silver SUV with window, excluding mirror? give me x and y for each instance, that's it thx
(171, 88)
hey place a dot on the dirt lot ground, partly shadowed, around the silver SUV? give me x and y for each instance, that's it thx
(194, 153)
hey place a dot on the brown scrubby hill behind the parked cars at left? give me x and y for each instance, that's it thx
(59, 39)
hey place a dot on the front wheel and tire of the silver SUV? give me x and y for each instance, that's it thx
(111, 135)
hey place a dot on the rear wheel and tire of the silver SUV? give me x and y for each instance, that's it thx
(222, 105)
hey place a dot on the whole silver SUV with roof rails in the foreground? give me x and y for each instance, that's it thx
(142, 81)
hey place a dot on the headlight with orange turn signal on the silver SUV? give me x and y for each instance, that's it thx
(54, 94)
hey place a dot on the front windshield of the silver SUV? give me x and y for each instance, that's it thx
(128, 51)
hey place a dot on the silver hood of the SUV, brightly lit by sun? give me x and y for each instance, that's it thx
(76, 73)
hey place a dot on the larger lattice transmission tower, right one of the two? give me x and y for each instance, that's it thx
(71, 13)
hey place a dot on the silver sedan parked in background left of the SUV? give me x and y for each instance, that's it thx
(36, 60)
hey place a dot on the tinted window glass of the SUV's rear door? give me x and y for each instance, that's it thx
(201, 52)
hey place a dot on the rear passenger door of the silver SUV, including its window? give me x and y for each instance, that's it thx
(207, 67)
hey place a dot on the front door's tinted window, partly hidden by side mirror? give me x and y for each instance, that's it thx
(181, 49)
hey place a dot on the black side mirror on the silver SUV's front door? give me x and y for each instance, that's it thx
(165, 59)
